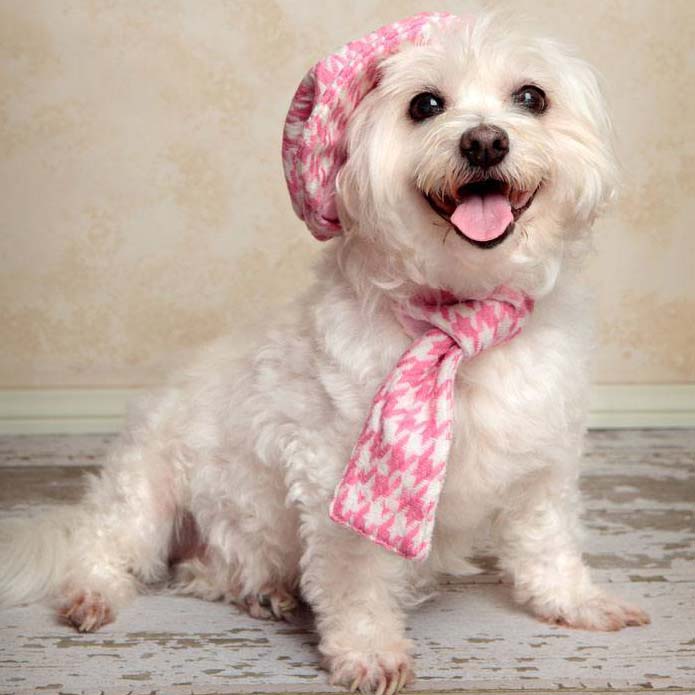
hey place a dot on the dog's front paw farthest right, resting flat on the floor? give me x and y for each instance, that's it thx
(601, 612)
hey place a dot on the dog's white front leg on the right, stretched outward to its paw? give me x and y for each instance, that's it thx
(538, 547)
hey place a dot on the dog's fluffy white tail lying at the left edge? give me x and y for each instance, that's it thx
(35, 555)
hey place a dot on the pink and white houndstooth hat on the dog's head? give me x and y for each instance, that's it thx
(313, 143)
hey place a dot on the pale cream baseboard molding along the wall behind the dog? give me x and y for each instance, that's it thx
(82, 411)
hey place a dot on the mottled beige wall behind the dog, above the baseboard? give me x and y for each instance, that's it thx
(143, 209)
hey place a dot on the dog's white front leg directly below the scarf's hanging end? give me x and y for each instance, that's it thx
(353, 586)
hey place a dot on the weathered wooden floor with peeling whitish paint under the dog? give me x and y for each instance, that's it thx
(639, 491)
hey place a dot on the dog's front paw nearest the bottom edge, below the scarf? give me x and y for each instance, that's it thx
(385, 672)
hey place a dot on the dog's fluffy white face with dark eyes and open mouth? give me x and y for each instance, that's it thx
(477, 160)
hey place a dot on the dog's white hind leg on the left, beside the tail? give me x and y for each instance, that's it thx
(120, 536)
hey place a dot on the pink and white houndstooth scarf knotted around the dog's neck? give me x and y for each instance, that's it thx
(390, 488)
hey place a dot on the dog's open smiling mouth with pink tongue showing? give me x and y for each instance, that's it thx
(483, 212)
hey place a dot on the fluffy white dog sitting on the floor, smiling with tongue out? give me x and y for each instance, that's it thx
(224, 480)
